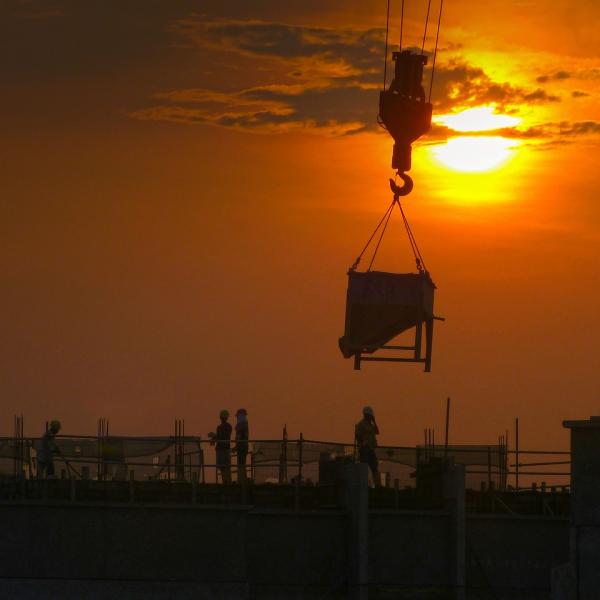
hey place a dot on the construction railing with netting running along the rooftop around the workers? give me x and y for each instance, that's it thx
(282, 461)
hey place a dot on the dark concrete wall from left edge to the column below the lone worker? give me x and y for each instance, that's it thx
(112, 551)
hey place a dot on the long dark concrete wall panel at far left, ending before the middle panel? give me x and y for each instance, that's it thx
(115, 542)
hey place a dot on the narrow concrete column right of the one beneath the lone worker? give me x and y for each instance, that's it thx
(454, 499)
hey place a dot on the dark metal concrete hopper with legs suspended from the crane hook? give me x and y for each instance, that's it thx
(381, 306)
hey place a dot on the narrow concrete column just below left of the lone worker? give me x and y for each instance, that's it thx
(356, 502)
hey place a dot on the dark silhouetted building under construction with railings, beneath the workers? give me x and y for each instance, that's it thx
(148, 517)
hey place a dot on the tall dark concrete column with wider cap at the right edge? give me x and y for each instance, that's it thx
(580, 579)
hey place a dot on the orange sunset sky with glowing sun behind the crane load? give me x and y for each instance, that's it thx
(185, 184)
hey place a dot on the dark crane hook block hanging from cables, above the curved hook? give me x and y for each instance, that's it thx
(402, 107)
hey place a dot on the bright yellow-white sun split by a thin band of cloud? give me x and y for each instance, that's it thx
(475, 153)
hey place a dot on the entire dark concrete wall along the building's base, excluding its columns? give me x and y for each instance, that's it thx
(128, 551)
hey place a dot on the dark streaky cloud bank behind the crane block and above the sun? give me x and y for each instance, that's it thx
(310, 78)
